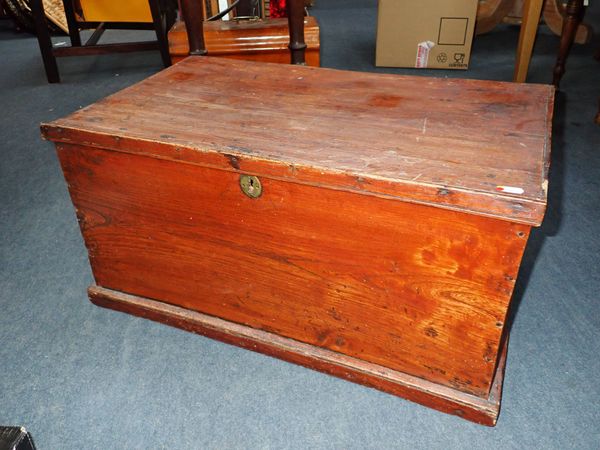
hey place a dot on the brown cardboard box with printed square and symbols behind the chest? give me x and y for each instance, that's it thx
(425, 34)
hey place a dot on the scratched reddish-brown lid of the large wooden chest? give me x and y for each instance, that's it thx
(476, 146)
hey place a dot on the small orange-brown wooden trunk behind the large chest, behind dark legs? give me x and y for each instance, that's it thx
(255, 40)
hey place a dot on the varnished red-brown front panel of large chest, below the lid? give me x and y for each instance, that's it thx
(414, 288)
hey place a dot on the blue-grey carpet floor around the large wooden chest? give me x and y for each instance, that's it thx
(82, 377)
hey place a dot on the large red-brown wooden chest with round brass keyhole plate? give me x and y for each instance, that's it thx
(384, 244)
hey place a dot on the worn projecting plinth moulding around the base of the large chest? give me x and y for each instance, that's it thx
(441, 398)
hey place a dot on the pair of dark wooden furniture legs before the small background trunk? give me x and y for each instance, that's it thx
(193, 15)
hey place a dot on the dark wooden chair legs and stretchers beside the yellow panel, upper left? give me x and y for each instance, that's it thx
(161, 17)
